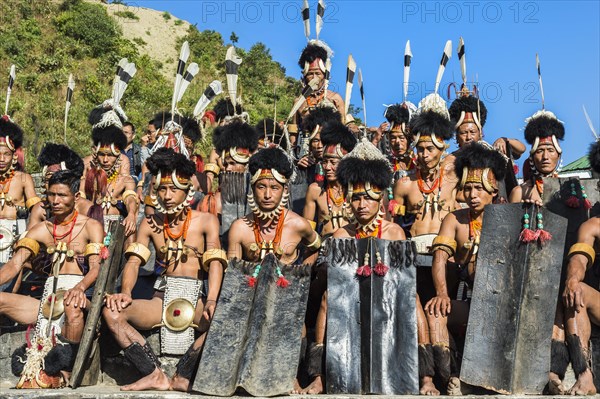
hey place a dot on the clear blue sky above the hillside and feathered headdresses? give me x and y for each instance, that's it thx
(501, 40)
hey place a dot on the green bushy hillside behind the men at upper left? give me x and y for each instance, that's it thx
(47, 40)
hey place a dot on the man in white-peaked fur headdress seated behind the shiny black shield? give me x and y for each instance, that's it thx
(365, 174)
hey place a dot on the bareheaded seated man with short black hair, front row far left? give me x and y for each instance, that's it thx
(73, 244)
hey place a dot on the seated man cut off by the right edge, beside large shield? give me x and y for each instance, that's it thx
(581, 302)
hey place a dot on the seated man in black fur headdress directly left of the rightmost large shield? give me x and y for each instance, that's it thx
(479, 169)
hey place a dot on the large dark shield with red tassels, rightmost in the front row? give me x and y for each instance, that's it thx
(507, 346)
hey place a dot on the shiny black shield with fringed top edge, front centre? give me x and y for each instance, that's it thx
(371, 321)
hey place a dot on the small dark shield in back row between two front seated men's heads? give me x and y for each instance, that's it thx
(234, 187)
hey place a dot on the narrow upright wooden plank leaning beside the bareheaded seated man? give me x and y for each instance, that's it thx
(104, 283)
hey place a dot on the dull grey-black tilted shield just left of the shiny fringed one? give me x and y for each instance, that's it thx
(255, 335)
